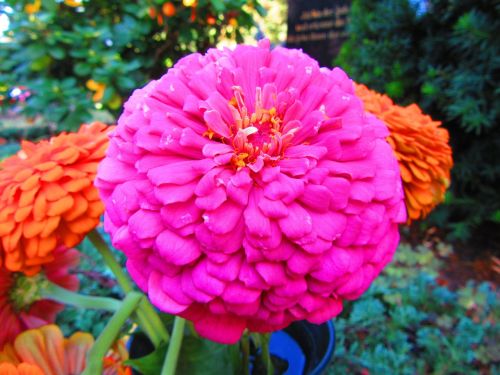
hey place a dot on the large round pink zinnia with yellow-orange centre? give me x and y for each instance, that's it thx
(248, 189)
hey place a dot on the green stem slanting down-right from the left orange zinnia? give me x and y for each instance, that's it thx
(147, 316)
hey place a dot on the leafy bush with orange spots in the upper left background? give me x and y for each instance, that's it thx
(73, 56)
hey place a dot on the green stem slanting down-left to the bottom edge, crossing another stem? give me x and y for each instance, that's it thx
(110, 334)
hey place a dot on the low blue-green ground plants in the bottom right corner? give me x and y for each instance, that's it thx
(407, 323)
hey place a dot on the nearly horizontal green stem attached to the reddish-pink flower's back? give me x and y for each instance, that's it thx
(67, 297)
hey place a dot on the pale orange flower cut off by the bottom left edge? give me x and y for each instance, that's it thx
(47, 349)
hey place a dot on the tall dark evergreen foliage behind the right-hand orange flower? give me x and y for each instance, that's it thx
(446, 58)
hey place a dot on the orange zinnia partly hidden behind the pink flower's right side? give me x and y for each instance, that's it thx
(421, 147)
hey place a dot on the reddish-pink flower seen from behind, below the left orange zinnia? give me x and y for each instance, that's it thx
(19, 309)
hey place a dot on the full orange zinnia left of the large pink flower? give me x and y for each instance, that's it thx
(47, 196)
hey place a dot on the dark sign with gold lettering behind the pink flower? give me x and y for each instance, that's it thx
(318, 27)
